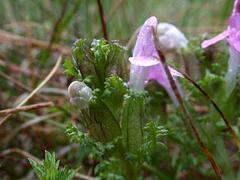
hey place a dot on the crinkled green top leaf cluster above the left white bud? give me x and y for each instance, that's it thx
(98, 60)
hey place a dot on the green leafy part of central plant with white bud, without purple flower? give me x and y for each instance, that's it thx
(111, 114)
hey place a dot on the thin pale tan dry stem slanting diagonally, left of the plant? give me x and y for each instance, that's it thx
(37, 88)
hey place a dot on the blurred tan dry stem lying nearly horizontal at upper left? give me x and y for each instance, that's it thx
(8, 38)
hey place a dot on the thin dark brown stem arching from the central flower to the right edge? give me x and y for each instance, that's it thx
(227, 123)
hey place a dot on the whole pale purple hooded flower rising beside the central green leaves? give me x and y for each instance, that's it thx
(145, 64)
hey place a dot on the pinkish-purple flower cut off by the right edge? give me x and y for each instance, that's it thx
(232, 35)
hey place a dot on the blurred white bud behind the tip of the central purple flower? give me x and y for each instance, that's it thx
(170, 37)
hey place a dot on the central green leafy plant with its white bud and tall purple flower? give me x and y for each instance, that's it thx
(111, 109)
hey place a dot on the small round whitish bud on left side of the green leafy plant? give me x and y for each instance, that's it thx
(80, 94)
